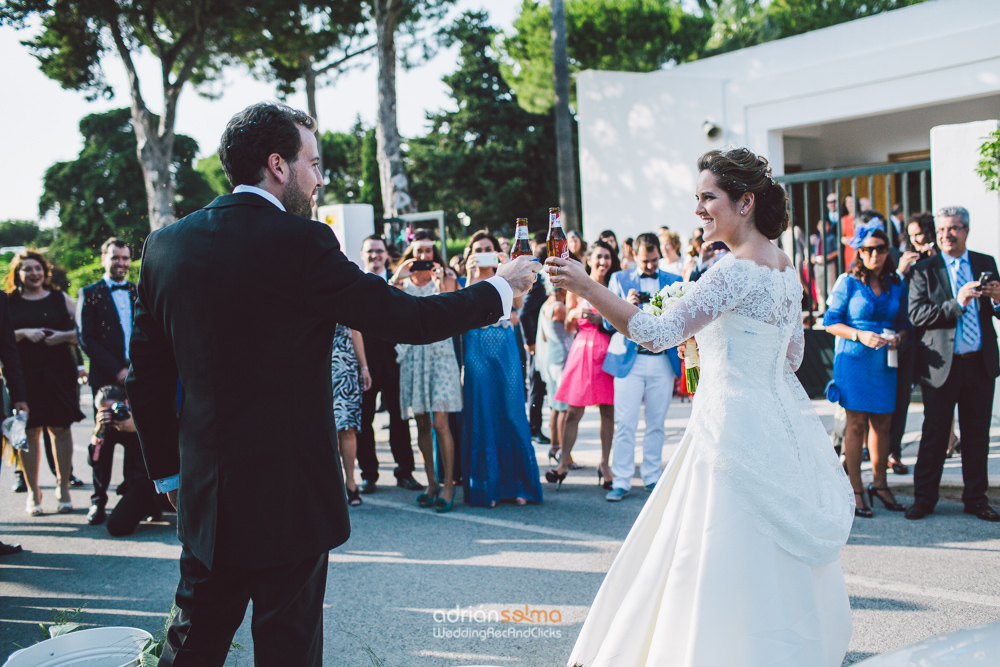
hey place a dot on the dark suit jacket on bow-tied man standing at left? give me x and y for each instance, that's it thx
(100, 332)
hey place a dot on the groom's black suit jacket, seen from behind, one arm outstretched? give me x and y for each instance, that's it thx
(239, 301)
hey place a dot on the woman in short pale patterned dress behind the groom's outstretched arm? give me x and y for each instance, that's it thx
(429, 383)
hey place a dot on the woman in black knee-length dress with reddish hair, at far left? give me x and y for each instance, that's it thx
(46, 335)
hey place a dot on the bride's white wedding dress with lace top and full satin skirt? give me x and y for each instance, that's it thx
(734, 560)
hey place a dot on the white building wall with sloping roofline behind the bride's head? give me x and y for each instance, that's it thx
(942, 55)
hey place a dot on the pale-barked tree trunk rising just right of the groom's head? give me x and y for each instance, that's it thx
(395, 187)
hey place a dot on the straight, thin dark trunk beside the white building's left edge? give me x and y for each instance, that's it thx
(564, 129)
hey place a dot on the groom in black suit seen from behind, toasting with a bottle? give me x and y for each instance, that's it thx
(239, 302)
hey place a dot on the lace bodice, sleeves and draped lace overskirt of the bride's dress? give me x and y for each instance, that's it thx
(751, 419)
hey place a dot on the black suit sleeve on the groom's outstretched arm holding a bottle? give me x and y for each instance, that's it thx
(337, 289)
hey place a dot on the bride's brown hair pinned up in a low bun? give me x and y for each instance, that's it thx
(740, 170)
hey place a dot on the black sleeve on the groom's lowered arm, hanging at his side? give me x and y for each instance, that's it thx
(152, 388)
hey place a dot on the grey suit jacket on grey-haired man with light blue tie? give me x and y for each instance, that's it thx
(935, 314)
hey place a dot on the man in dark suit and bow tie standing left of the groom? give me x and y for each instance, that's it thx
(104, 323)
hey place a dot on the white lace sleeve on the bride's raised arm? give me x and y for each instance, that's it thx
(719, 290)
